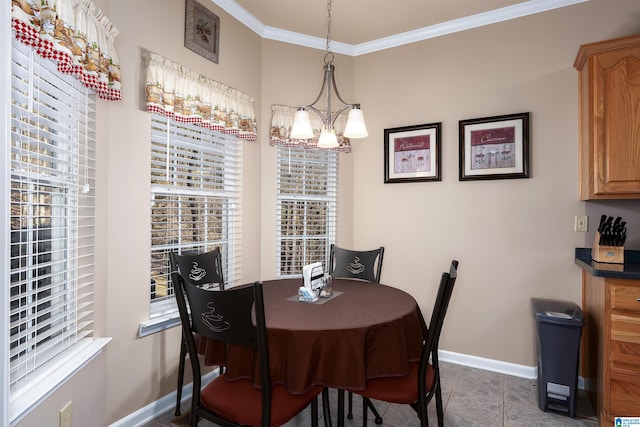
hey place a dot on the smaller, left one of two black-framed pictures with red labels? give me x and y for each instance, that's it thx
(412, 153)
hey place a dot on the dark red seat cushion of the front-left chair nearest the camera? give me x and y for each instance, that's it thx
(241, 402)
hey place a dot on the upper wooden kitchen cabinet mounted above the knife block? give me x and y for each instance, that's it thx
(609, 104)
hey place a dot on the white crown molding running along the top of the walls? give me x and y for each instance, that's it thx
(526, 8)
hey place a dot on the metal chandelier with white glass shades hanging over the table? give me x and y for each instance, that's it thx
(355, 127)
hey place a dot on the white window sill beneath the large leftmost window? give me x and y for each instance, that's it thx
(26, 401)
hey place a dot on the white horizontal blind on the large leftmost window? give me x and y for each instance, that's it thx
(51, 218)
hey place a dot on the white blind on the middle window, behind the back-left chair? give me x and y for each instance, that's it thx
(196, 181)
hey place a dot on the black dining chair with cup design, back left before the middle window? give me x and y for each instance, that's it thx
(200, 269)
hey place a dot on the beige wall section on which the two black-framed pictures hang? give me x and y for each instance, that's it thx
(514, 238)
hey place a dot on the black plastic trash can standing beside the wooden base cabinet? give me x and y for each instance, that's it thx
(559, 326)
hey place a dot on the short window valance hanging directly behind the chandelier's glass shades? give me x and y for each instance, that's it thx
(282, 121)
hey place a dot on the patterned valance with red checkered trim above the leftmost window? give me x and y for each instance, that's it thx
(76, 35)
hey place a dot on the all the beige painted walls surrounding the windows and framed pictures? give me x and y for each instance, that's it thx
(514, 238)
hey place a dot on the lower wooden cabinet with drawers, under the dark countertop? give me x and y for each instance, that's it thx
(611, 346)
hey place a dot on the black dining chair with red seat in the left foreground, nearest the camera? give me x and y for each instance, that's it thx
(236, 317)
